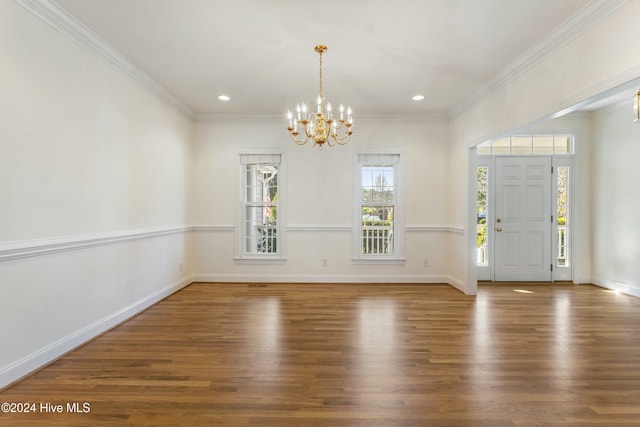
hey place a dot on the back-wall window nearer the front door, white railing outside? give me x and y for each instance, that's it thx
(377, 209)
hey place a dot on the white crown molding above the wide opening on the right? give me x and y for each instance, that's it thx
(577, 24)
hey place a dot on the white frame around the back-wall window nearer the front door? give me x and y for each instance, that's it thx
(397, 256)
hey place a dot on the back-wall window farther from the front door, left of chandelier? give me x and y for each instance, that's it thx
(260, 225)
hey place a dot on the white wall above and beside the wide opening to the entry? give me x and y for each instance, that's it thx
(597, 58)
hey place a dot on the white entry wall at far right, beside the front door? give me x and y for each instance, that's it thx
(616, 227)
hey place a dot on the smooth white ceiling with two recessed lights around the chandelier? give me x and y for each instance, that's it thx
(381, 52)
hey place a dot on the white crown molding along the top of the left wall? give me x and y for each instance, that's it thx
(54, 15)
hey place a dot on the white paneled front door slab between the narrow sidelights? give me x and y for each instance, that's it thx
(522, 224)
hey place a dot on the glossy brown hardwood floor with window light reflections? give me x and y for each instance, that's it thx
(354, 355)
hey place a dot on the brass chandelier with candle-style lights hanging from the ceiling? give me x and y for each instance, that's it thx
(321, 127)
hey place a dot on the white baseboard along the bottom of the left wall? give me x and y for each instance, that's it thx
(36, 360)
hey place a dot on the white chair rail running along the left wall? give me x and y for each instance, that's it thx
(30, 248)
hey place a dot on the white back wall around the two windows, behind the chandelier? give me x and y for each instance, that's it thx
(318, 201)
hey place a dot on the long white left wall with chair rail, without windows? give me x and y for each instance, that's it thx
(94, 188)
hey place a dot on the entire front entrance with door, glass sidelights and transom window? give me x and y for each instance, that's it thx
(523, 219)
